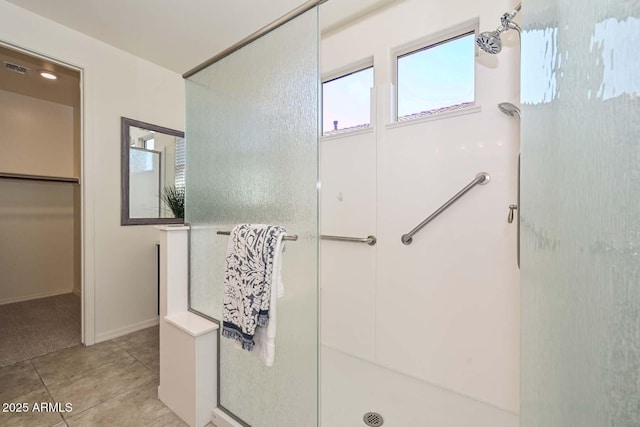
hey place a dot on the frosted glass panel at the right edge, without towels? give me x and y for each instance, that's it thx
(580, 214)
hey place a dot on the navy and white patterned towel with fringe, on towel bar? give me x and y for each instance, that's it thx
(247, 282)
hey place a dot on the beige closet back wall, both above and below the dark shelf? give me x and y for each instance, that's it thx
(36, 218)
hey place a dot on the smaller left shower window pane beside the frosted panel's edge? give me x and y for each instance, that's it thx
(346, 102)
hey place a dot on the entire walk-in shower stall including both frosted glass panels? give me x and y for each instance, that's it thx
(384, 322)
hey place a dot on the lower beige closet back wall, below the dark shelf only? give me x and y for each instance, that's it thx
(36, 243)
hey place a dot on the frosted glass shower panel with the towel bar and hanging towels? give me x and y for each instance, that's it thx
(252, 127)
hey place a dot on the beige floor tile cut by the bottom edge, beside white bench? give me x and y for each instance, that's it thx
(137, 408)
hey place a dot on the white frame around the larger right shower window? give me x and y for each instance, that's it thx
(464, 28)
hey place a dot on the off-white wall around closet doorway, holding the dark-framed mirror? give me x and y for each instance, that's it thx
(119, 262)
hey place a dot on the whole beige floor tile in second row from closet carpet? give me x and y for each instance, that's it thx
(98, 385)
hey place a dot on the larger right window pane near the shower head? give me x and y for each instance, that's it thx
(437, 78)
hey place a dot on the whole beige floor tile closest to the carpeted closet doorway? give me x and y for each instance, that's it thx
(62, 365)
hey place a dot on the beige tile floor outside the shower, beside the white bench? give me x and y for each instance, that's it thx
(114, 383)
